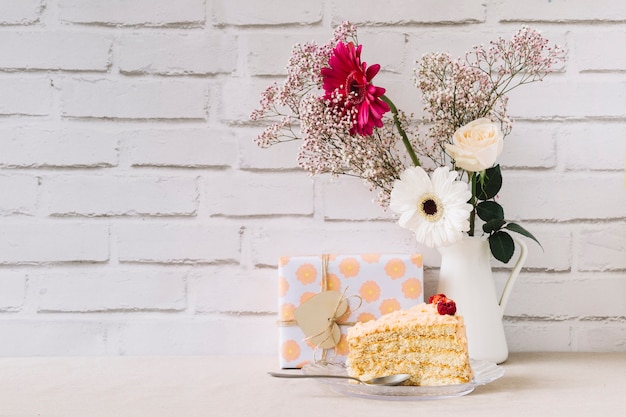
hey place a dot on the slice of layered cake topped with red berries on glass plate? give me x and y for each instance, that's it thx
(427, 341)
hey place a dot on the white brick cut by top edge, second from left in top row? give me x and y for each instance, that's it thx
(133, 12)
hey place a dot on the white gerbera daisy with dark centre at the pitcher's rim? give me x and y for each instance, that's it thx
(435, 208)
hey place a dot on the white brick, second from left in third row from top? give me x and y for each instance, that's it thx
(142, 99)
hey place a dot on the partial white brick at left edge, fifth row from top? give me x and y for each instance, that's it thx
(18, 194)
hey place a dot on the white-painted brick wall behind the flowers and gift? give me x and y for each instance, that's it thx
(137, 216)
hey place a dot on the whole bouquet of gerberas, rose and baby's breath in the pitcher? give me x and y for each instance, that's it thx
(439, 174)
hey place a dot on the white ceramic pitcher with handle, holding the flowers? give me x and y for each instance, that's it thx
(465, 276)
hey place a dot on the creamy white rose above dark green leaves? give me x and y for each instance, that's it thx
(476, 146)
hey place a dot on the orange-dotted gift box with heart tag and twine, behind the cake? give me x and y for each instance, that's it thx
(320, 297)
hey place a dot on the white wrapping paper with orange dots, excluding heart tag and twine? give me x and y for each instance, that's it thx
(383, 282)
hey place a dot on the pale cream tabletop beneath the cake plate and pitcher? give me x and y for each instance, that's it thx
(535, 384)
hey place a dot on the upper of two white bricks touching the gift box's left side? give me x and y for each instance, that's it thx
(228, 289)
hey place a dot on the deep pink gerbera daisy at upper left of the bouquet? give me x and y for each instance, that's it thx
(348, 79)
